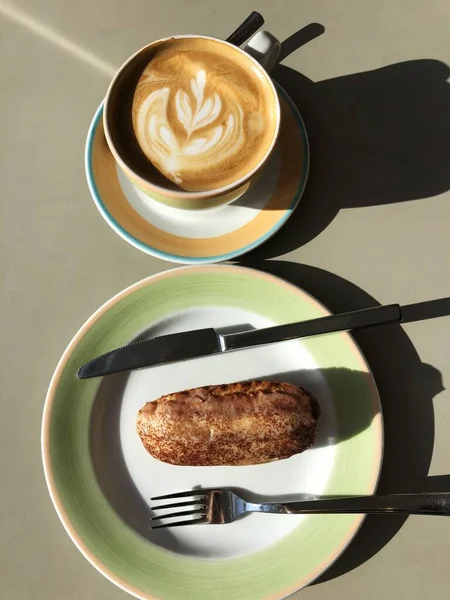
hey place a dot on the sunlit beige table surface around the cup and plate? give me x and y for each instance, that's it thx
(373, 227)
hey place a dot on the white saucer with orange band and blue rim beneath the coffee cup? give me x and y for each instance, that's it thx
(202, 236)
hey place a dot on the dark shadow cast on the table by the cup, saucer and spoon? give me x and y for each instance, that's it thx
(376, 137)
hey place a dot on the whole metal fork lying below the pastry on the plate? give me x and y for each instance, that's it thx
(214, 506)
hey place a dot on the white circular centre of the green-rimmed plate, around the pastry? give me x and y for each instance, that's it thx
(129, 476)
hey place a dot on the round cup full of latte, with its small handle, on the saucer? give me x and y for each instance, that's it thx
(192, 120)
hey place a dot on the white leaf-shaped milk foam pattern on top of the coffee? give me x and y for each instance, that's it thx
(210, 131)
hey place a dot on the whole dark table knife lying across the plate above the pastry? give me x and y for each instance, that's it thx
(187, 345)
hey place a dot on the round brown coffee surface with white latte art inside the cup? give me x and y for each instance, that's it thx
(201, 119)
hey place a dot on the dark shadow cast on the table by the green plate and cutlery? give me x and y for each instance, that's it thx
(407, 387)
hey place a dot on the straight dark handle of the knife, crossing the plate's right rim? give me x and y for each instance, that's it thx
(358, 319)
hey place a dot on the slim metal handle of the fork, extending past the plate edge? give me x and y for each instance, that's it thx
(406, 504)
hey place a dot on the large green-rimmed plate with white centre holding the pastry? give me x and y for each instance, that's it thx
(100, 478)
